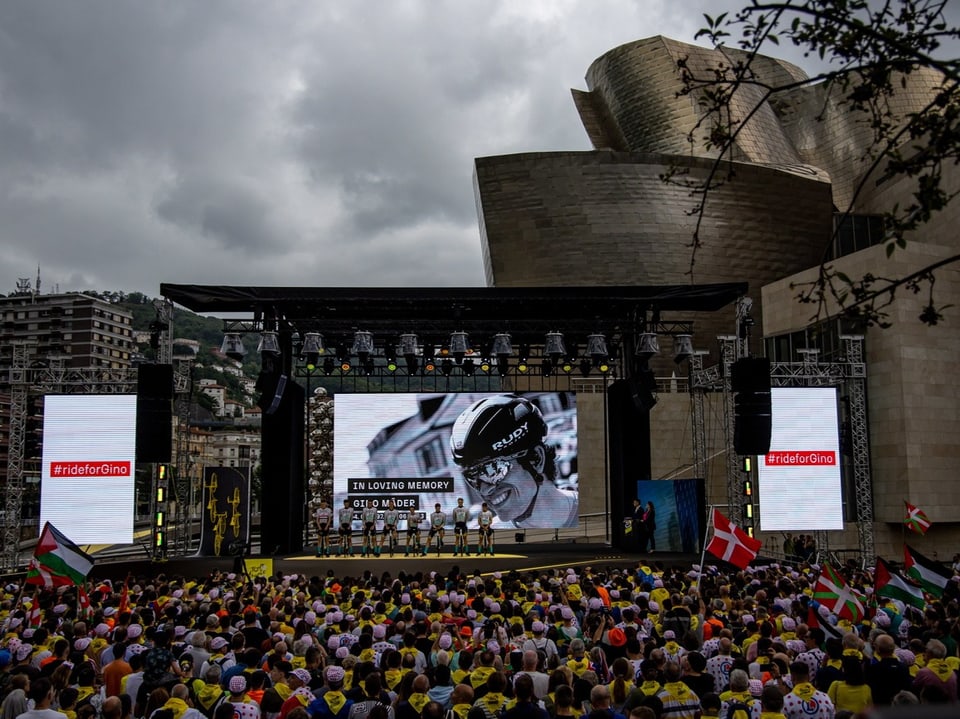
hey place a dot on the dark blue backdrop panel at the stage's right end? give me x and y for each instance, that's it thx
(680, 507)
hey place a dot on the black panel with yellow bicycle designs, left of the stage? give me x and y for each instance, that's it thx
(225, 529)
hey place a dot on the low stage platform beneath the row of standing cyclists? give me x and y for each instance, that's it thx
(514, 557)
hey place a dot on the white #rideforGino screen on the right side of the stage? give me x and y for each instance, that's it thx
(799, 478)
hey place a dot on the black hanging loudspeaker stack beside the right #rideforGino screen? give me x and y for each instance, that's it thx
(753, 416)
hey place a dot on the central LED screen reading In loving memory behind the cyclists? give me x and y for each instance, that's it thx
(517, 453)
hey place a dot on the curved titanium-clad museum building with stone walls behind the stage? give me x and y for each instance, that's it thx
(606, 217)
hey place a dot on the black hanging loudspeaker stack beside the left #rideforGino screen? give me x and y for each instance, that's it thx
(155, 413)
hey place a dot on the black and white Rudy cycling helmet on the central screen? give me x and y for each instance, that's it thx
(499, 426)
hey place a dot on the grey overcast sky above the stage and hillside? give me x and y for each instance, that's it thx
(319, 143)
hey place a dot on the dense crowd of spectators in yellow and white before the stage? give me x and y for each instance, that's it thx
(640, 642)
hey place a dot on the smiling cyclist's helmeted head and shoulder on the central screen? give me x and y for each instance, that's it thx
(500, 445)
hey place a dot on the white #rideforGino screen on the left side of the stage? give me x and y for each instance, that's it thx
(87, 480)
